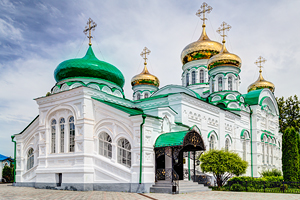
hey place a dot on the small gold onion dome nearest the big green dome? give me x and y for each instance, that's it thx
(145, 78)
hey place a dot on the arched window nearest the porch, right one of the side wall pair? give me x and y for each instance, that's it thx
(124, 152)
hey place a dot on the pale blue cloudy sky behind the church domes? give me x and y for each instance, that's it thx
(35, 36)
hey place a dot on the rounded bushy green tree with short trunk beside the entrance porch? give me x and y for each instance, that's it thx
(223, 165)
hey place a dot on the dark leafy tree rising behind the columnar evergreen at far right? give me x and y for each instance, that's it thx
(289, 111)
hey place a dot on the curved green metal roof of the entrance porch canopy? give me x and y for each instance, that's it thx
(170, 139)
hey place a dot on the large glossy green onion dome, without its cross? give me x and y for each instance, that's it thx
(89, 67)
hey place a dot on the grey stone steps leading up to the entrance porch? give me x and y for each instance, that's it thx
(165, 186)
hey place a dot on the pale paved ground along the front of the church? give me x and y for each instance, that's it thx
(8, 192)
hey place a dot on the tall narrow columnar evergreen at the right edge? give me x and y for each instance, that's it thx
(290, 155)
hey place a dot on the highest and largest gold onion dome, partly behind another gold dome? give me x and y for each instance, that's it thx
(203, 48)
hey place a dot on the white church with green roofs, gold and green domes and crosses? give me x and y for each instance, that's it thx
(89, 136)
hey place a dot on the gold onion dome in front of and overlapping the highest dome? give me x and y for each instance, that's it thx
(224, 58)
